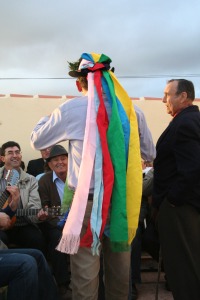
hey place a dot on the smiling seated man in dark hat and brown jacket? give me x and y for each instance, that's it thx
(51, 190)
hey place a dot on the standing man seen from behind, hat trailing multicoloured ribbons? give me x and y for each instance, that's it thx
(104, 171)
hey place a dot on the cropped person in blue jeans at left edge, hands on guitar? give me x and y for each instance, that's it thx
(24, 271)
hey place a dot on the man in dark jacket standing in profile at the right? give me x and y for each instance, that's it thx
(177, 190)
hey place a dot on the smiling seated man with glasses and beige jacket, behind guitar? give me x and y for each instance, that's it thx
(25, 232)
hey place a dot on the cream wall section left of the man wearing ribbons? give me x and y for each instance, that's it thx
(19, 116)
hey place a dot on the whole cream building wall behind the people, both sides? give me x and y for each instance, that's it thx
(20, 113)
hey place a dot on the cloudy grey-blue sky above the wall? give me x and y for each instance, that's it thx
(144, 39)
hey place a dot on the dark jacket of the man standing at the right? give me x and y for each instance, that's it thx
(177, 164)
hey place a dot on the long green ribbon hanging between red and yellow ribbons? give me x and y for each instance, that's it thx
(116, 143)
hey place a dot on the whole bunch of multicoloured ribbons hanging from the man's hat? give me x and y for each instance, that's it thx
(115, 155)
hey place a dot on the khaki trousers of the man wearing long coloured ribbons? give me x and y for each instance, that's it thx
(85, 270)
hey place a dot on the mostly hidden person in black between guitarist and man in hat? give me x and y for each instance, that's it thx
(37, 166)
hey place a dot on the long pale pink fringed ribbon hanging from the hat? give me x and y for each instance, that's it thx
(70, 240)
